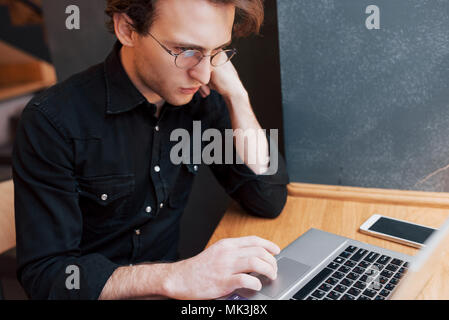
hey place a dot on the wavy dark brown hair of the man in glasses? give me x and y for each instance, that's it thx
(248, 20)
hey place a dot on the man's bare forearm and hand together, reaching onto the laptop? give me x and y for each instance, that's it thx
(213, 273)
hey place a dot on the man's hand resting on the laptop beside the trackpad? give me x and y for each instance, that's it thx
(223, 268)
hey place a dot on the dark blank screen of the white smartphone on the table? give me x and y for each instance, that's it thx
(402, 230)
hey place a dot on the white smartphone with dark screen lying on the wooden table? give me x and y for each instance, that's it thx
(401, 231)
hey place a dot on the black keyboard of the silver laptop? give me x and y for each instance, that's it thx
(356, 274)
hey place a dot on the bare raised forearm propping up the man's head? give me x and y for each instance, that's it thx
(254, 152)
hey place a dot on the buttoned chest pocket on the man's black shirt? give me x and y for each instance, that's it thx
(105, 200)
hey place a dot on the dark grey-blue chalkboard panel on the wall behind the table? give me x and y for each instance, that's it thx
(366, 107)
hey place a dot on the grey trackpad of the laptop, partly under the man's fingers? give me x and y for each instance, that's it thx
(288, 272)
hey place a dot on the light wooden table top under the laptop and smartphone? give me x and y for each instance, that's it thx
(341, 210)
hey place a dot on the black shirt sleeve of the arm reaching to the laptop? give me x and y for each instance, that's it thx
(48, 217)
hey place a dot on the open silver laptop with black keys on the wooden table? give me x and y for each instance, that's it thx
(324, 266)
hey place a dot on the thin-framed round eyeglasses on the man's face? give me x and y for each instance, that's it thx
(191, 58)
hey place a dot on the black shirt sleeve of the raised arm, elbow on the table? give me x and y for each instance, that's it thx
(262, 195)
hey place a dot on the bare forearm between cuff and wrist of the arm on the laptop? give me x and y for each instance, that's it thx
(137, 282)
